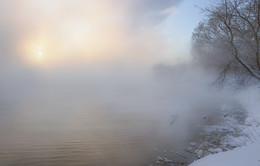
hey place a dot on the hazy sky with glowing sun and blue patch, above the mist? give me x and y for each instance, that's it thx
(56, 32)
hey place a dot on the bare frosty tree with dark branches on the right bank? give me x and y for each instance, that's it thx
(229, 38)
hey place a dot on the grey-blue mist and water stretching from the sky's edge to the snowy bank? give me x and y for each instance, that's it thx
(99, 116)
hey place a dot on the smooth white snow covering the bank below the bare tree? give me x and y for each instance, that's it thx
(248, 154)
